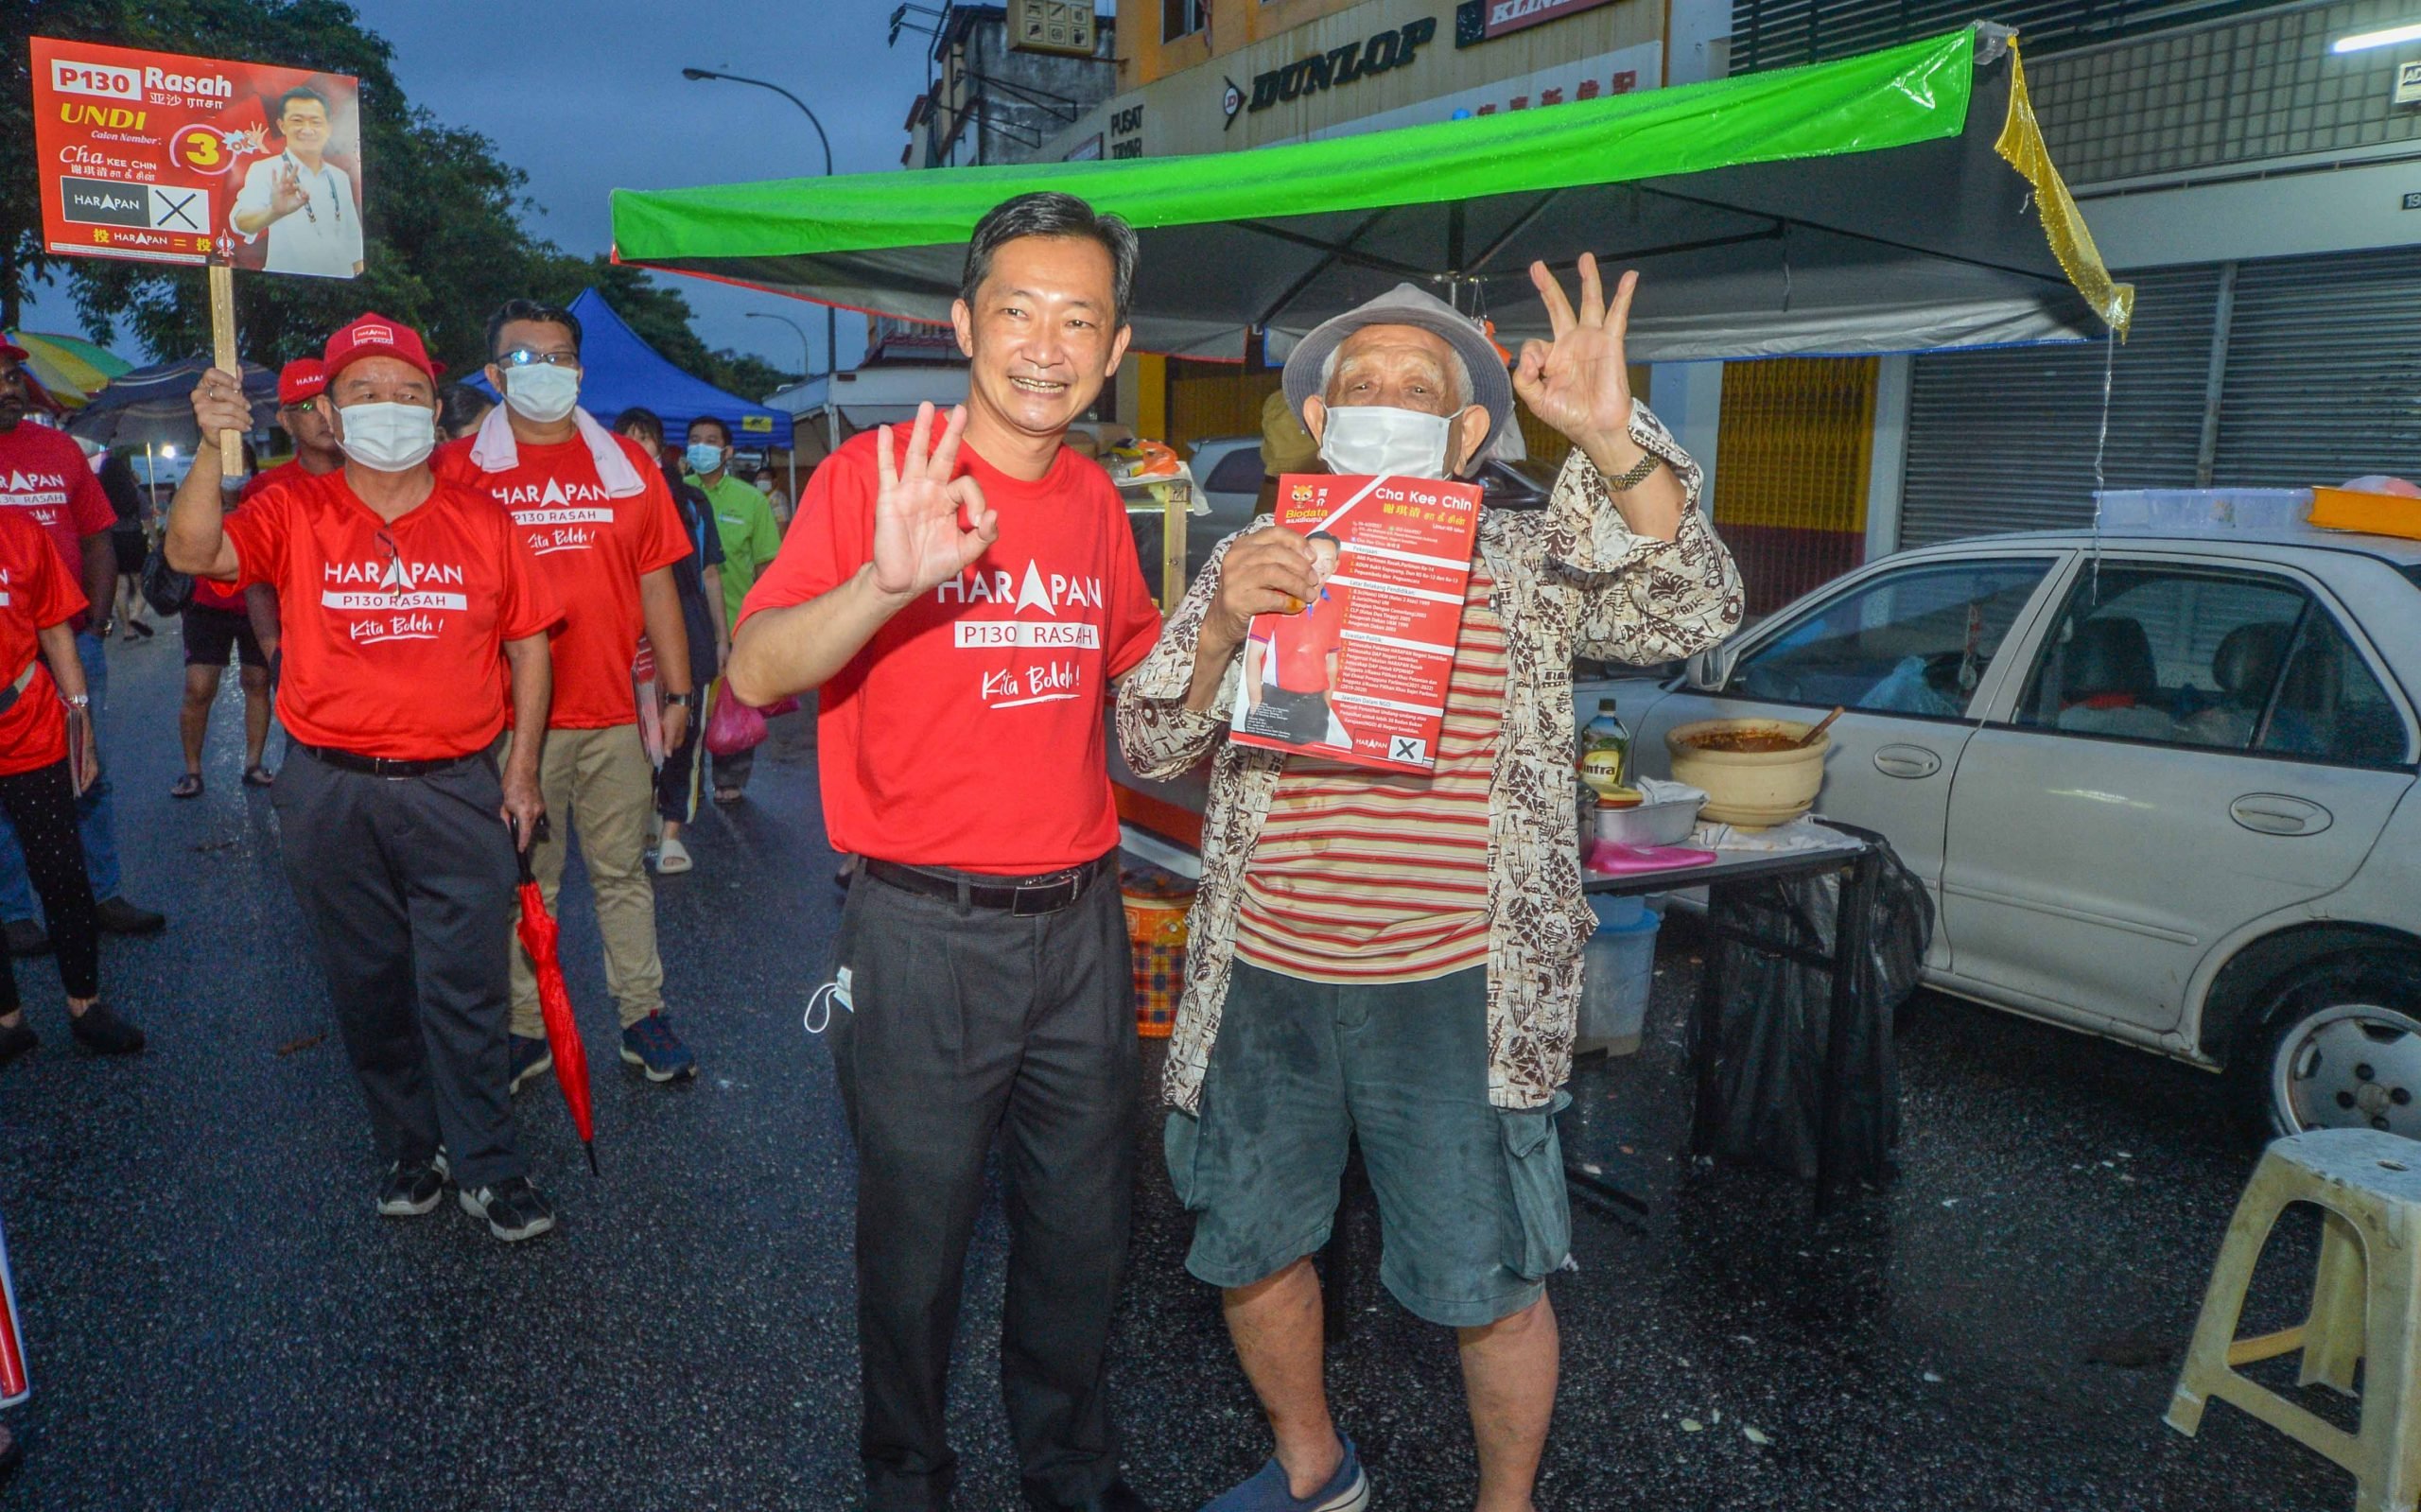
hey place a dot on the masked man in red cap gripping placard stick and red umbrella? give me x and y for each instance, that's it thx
(413, 608)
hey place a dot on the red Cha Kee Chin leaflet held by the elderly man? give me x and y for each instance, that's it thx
(1359, 676)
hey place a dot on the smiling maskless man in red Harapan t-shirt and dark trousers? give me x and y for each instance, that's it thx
(962, 606)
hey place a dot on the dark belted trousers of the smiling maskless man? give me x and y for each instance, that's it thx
(972, 1025)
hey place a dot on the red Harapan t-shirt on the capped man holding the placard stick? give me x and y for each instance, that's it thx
(393, 633)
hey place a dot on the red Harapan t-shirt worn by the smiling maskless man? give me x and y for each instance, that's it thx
(970, 729)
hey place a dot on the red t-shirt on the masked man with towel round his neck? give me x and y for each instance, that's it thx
(592, 553)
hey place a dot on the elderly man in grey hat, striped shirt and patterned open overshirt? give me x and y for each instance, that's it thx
(1398, 959)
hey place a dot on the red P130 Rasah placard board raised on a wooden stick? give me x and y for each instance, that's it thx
(166, 158)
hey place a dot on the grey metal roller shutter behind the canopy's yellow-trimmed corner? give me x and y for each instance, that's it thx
(2006, 439)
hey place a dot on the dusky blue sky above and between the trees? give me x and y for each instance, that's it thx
(587, 96)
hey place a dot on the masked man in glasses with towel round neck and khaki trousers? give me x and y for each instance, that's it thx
(604, 531)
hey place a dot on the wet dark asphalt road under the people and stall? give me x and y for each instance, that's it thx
(217, 1320)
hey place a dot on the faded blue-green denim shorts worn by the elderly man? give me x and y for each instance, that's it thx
(1471, 1196)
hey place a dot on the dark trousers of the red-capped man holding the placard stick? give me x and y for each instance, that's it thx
(408, 884)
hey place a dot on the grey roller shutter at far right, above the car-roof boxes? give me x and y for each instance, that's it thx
(2323, 371)
